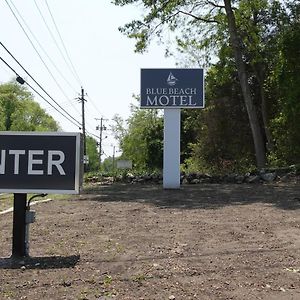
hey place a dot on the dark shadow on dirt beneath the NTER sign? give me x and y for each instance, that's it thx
(48, 262)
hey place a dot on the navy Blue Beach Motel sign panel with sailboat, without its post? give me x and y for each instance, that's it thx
(172, 88)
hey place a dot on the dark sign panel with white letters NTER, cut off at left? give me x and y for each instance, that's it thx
(34, 162)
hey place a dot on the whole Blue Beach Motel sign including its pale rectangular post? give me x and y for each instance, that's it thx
(172, 89)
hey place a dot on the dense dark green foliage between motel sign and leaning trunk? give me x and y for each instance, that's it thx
(221, 138)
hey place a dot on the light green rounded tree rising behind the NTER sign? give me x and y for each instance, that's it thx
(20, 112)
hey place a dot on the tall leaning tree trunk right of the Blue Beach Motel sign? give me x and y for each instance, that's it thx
(259, 146)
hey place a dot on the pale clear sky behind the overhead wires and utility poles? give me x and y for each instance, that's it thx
(102, 60)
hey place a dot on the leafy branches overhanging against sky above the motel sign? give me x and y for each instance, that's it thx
(179, 16)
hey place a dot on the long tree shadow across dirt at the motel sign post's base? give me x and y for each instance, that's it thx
(204, 196)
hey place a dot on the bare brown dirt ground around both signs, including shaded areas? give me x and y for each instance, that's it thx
(143, 242)
